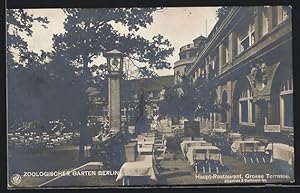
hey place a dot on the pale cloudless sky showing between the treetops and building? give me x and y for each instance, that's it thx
(178, 24)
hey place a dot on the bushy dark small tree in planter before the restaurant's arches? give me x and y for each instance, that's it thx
(190, 100)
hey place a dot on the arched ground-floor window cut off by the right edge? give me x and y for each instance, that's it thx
(286, 104)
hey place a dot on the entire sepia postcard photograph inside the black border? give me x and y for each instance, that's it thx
(152, 96)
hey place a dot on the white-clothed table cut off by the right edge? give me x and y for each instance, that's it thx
(282, 152)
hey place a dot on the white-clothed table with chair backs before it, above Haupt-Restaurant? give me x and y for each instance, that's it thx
(192, 151)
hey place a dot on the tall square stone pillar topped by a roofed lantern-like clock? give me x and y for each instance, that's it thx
(115, 70)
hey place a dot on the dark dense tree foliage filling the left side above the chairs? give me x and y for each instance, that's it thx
(40, 86)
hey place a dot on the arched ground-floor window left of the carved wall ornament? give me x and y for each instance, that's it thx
(246, 106)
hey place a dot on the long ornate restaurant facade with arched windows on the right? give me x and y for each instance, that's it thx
(247, 58)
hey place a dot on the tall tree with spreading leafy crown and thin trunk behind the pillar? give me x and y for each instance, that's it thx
(90, 33)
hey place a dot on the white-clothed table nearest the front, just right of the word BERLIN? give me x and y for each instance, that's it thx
(144, 167)
